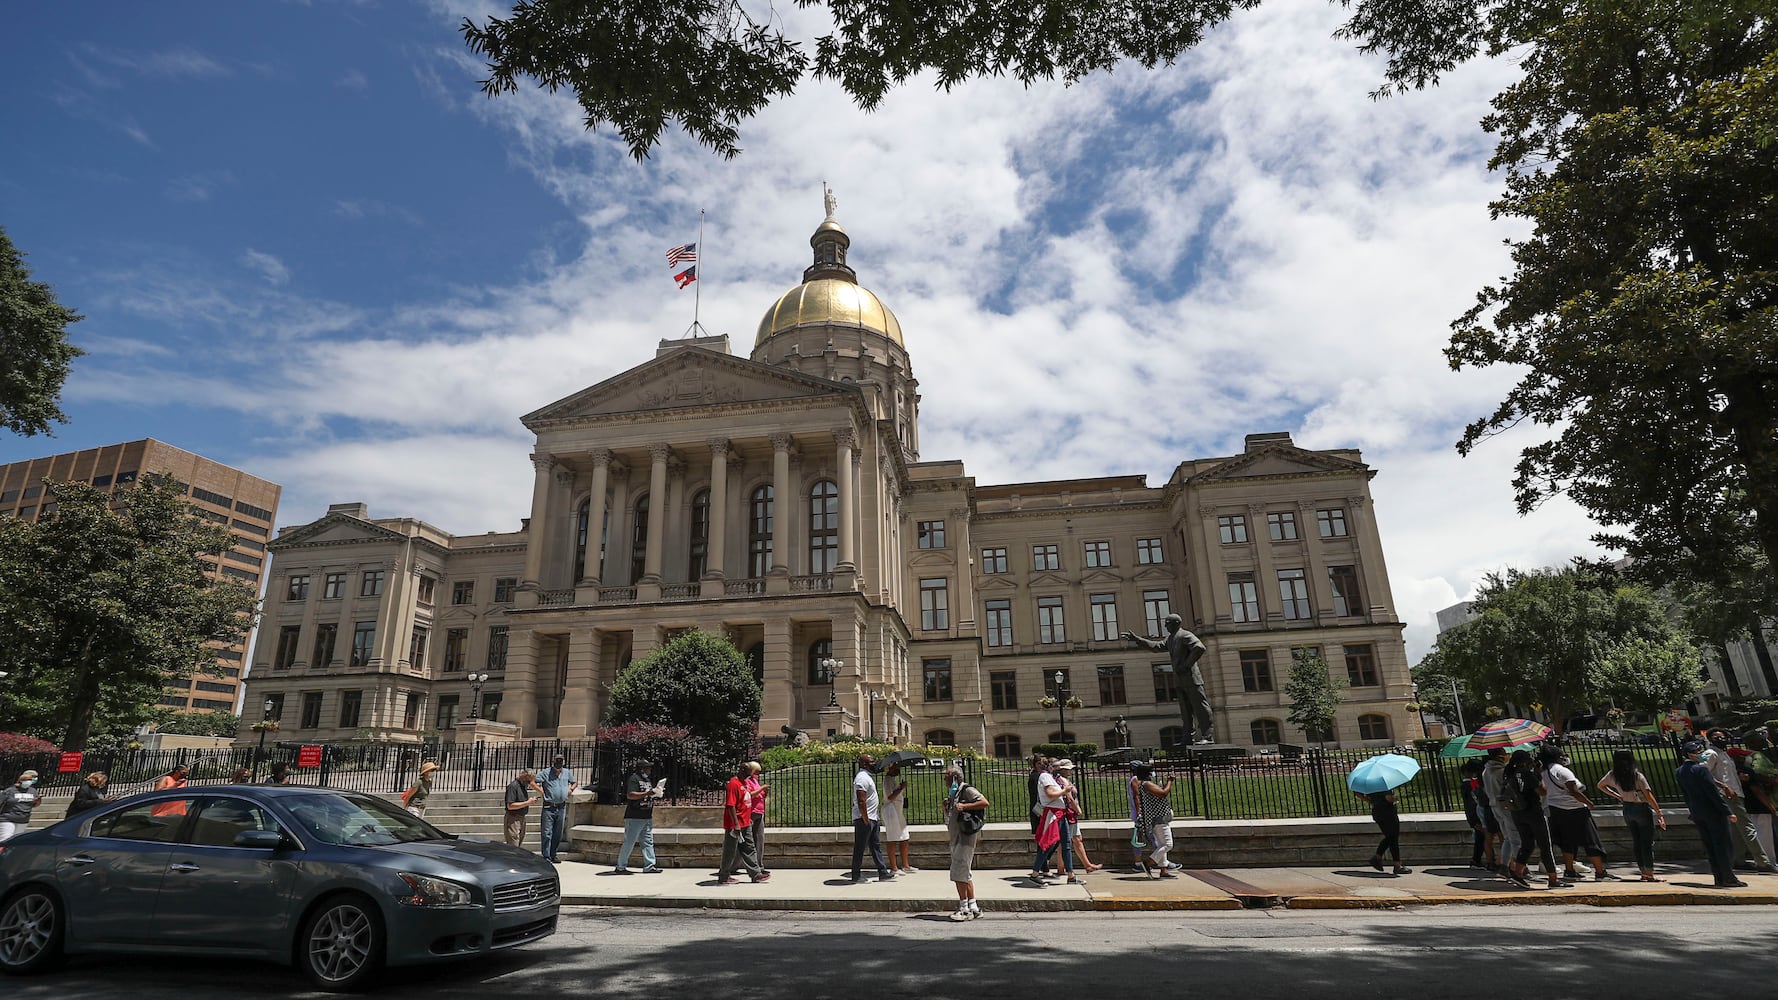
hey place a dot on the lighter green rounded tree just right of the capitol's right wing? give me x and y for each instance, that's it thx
(1562, 640)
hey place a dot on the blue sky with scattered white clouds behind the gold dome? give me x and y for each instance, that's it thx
(310, 246)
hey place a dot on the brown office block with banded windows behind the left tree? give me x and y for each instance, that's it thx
(221, 494)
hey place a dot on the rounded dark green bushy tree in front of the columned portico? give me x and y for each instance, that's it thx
(700, 682)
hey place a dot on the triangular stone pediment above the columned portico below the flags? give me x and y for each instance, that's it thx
(687, 378)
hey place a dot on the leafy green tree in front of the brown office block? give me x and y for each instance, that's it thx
(102, 602)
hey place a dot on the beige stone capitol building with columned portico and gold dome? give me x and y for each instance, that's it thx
(781, 501)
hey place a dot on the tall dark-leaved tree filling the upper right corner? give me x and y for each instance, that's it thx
(1642, 314)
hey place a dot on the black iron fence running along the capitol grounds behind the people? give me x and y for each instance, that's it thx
(1297, 784)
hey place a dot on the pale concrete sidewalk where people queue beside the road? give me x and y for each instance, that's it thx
(1110, 891)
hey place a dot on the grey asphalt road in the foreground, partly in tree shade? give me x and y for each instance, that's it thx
(1446, 953)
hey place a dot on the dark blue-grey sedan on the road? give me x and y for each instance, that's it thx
(337, 883)
